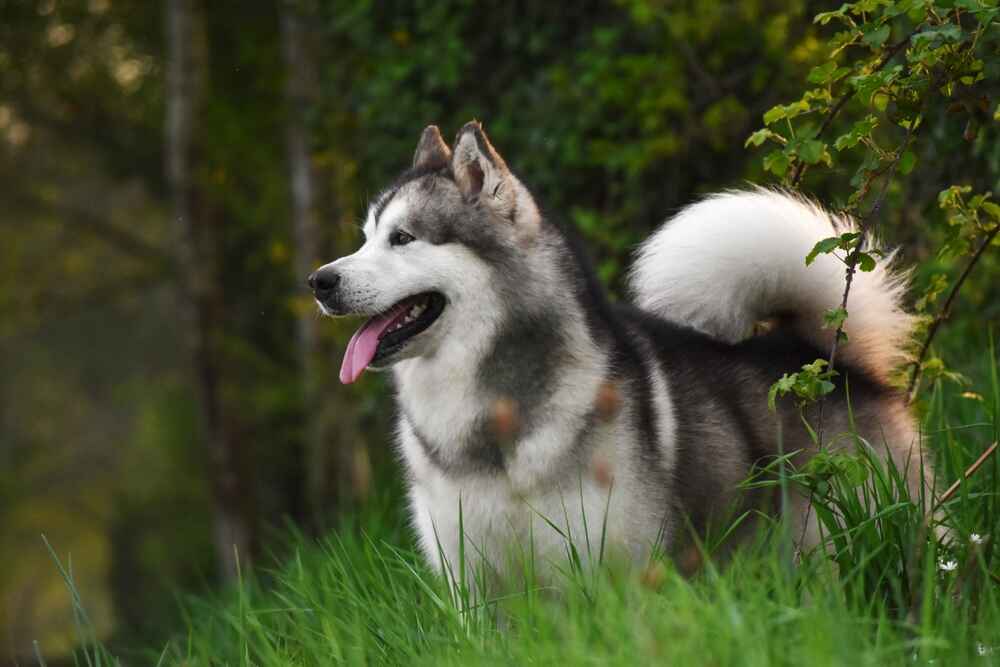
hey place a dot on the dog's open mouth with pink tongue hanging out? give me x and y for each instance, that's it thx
(384, 335)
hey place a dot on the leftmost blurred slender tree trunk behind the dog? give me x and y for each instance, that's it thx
(197, 228)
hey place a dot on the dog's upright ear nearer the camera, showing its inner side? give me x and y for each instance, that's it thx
(482, 174)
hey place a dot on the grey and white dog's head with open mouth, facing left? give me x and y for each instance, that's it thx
(435, 241)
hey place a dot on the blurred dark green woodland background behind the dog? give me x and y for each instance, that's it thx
(166, 387)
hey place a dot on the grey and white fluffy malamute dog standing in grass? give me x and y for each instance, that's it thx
(534, 411)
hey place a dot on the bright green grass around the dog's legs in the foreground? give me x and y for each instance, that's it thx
(885, 595)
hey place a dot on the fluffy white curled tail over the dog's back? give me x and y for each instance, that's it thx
(738, 258)
